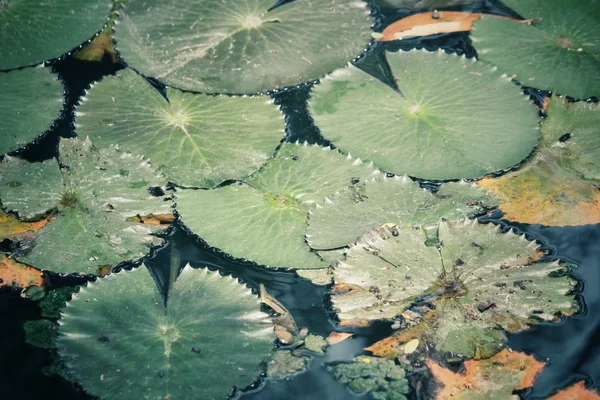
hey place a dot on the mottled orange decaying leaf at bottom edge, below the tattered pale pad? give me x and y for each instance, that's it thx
(505, 372)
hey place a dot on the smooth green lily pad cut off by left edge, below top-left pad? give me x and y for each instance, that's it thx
(30, 101)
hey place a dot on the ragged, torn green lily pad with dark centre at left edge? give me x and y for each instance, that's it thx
(92, 198)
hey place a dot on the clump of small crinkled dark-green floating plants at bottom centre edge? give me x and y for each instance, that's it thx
(382, 378)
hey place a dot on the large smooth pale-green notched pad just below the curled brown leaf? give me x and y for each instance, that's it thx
(458, 118)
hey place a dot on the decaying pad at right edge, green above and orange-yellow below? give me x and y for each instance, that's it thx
(560, 185)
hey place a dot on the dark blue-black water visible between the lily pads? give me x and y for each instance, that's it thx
(571, 348)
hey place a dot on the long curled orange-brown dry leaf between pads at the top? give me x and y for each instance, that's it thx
(430, 23)
